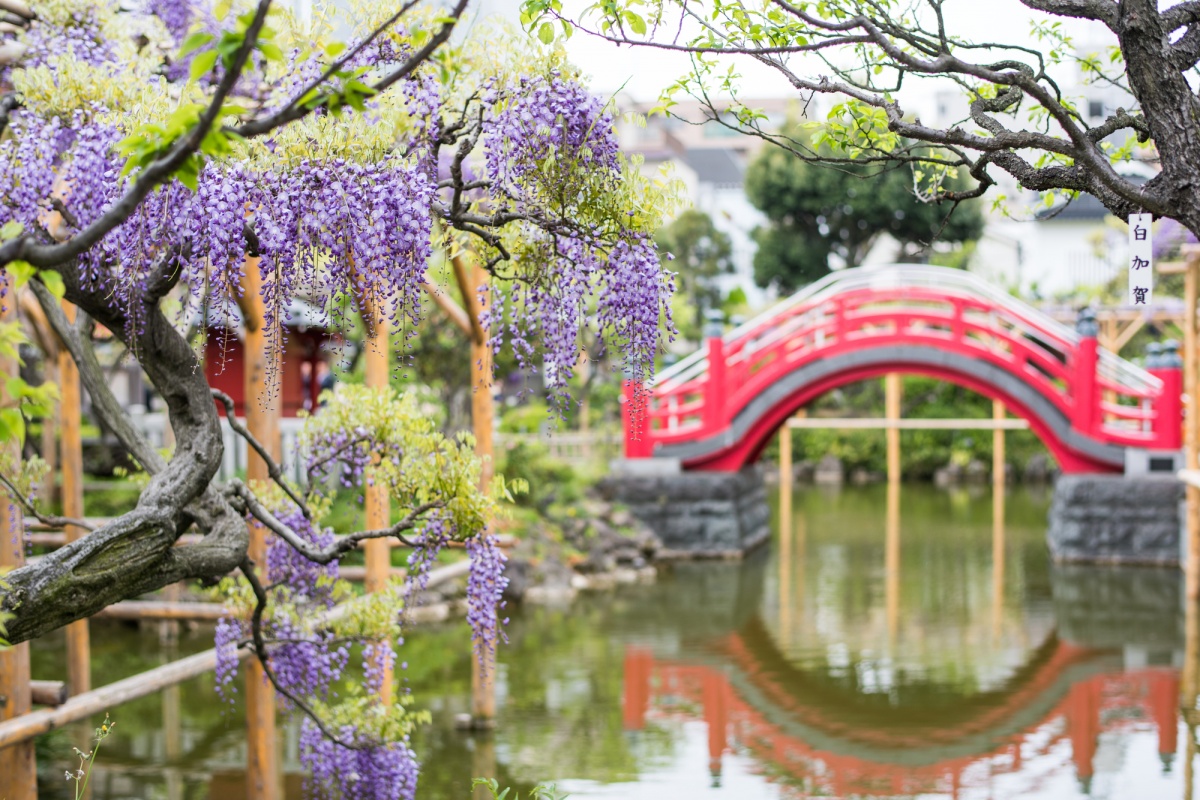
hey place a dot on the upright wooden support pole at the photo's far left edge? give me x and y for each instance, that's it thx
(17, 766)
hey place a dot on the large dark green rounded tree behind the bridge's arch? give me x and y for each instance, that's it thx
(818, 212)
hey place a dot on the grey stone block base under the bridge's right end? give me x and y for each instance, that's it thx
(1115, 520)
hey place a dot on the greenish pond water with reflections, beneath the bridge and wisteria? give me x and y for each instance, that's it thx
(862, 654)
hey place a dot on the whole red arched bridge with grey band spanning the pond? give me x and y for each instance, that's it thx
(718, 408)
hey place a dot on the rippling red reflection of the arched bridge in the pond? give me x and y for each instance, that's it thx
(899, 762)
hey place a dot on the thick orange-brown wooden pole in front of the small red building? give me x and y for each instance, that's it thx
(262, 410)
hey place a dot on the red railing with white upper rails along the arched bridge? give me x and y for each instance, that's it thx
(910, 305)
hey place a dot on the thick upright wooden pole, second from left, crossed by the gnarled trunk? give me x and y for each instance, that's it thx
(71, 465)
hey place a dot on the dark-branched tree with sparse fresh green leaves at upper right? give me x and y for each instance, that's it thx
(1136, 100)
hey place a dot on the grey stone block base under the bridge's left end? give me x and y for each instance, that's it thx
(698, 515)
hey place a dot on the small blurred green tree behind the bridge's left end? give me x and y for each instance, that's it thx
(701, 252)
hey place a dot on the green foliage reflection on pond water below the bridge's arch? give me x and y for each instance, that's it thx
(947, 628)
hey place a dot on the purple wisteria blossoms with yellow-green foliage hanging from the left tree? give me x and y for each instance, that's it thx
(509, 157)
